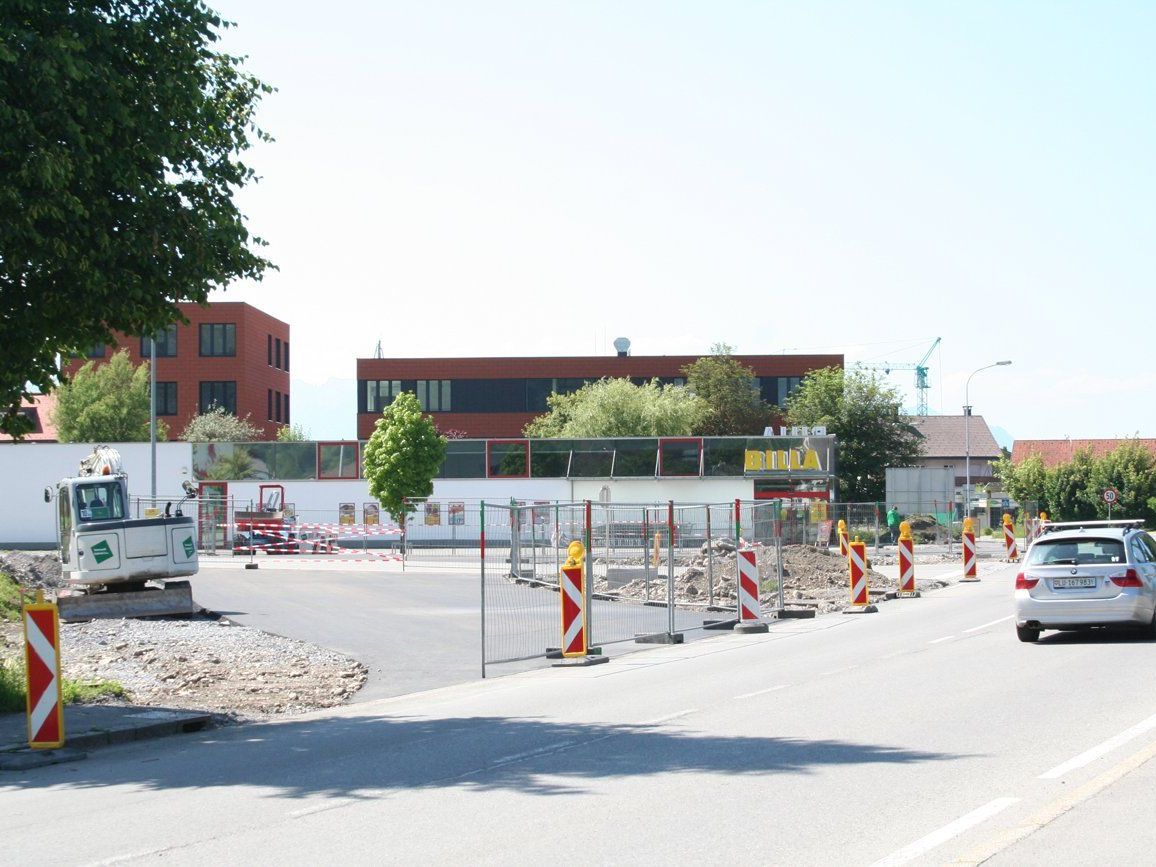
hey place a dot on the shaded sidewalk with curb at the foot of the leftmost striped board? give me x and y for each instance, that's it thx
(92, 727)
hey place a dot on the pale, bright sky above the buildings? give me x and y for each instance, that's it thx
(539, 179)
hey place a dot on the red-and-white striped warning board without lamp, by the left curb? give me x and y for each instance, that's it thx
(42, 655)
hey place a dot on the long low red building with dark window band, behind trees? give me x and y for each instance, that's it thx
(498, 397)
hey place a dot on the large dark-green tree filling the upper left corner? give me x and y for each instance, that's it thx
(121, 135)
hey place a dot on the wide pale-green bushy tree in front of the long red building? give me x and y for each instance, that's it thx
(620, 409)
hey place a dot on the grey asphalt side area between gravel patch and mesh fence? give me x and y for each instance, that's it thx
(414, 631)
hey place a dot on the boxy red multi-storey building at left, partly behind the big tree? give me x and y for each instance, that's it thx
(231, 354)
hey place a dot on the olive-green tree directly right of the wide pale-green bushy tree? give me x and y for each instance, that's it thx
(729, 388)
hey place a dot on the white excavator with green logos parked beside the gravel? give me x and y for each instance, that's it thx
(117, 566)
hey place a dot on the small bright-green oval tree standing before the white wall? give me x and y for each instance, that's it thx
(403, 456)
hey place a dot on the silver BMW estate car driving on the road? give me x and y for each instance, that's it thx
(1087, 574)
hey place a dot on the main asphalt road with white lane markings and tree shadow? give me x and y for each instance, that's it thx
(922, 735)
